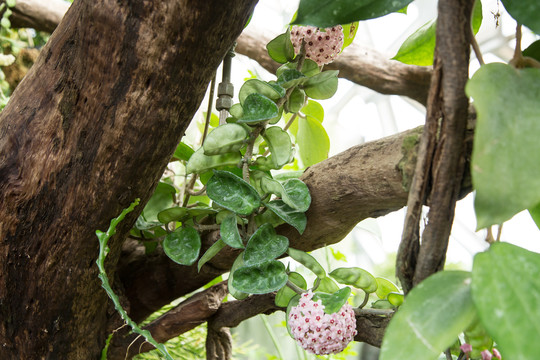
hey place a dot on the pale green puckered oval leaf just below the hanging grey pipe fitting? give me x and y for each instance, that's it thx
(224, 139)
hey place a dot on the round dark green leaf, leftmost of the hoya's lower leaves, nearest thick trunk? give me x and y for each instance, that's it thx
(183, 245)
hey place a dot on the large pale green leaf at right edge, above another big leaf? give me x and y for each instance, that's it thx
(505, 175)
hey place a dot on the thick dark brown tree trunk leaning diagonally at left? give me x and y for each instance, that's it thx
(89, 129)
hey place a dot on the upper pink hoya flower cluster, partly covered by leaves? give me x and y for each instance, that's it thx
(322, 46)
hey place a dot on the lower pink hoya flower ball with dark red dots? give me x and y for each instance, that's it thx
(318, 332)
